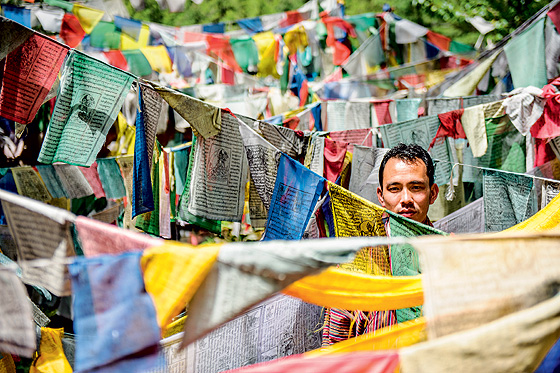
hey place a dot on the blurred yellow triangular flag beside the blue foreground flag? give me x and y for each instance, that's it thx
(172, 274)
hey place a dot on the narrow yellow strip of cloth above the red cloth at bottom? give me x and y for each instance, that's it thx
(389, 338)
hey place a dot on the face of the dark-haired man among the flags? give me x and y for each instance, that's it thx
(406, 189)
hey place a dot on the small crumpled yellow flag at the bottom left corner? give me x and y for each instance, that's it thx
(51, 358)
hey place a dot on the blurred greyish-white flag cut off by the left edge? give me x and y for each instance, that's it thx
(17, 335)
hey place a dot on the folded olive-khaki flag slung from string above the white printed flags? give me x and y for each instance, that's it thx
(205, 119)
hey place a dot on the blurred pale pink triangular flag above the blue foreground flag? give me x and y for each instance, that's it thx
(98, 238)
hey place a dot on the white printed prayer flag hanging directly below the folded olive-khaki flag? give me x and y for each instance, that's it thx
(217, 188)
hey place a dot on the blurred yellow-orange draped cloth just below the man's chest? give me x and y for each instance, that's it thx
(348, 290)
